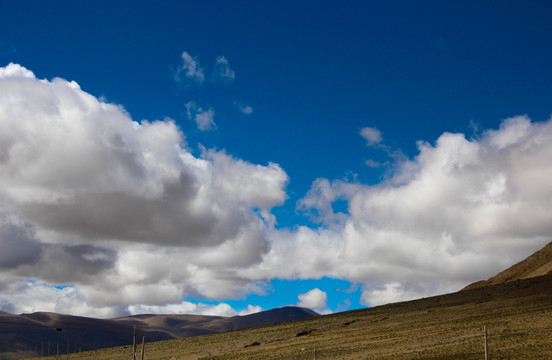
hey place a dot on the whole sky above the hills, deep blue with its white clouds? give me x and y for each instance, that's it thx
(317, 129)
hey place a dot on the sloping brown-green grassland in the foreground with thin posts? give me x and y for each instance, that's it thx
(518, 316)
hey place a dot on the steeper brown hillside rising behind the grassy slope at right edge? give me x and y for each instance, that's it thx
(538, 264)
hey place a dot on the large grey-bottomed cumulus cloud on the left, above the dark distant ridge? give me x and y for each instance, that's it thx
(119, 212)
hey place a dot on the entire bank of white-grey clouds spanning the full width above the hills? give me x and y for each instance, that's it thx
(123, 218)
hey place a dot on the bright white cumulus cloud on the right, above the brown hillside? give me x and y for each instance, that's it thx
(460, 211)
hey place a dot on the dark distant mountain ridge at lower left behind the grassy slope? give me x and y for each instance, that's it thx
(32, 334)
